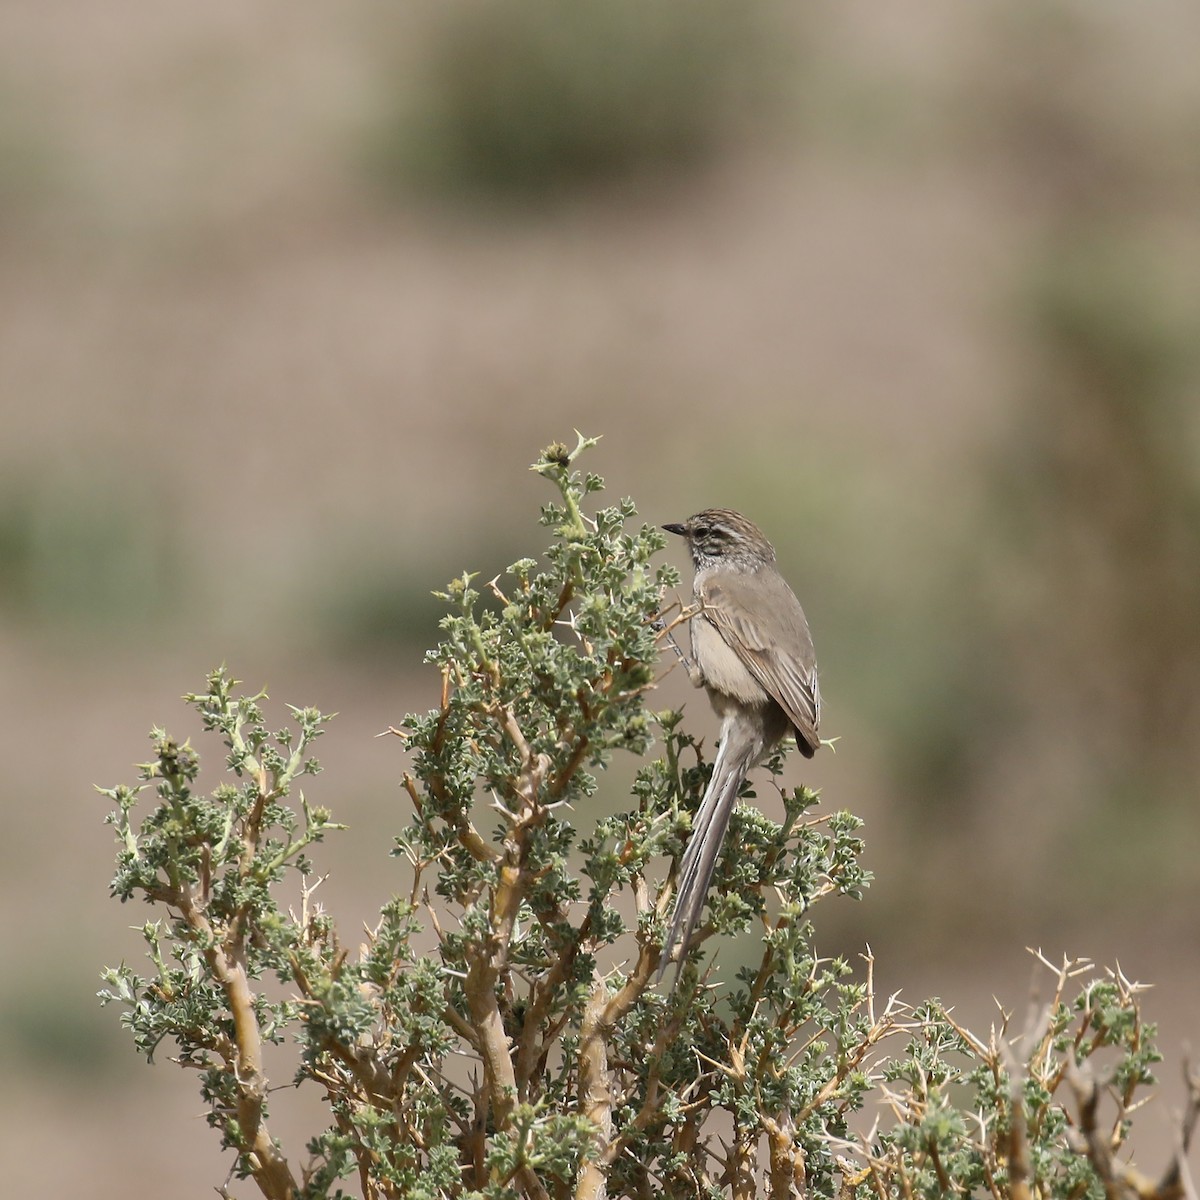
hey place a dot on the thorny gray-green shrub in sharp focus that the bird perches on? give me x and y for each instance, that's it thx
(500, 1035)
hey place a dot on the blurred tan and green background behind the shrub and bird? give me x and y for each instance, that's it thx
(292, 296)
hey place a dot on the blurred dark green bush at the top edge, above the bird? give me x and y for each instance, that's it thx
(536, 98)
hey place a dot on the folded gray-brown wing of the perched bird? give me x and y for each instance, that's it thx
(779, 657)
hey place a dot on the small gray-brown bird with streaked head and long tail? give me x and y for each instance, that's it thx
(753, 653)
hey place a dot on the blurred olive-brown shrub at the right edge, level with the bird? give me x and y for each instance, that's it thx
(1101, 488)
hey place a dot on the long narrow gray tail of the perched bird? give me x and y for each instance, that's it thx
(709, 831)
